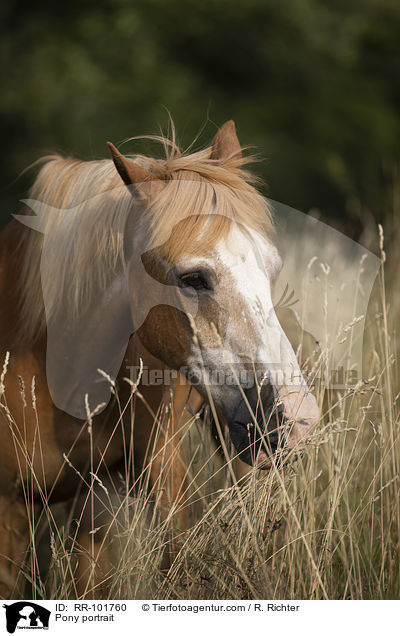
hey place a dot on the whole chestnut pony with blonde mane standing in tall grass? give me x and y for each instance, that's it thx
(131, 261)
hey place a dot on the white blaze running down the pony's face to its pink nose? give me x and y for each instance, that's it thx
(254, 263)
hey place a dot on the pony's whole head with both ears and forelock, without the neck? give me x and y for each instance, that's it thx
(212, 247)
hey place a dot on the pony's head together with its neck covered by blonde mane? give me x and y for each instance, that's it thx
(180, 251)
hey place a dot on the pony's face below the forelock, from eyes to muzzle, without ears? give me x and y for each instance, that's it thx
(232, 347)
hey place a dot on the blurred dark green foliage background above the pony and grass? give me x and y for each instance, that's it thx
(314, 86)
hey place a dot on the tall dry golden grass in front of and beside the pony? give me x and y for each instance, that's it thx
(325, 526)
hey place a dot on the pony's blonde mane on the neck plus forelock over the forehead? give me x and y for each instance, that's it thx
(84, 208)
